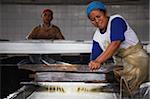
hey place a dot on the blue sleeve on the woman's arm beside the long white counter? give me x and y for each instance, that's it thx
(96, 50)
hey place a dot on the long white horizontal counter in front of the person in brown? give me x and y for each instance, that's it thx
(44, 47)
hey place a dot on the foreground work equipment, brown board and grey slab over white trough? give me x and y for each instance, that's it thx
(68, 81)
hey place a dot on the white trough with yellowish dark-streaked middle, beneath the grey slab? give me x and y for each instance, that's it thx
(65, 90)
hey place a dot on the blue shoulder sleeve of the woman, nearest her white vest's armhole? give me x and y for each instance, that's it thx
(118, 28)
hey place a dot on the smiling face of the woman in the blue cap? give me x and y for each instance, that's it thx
(98, 19)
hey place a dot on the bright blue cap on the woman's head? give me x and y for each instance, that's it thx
(95, 5)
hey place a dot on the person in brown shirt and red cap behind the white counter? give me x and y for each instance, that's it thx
(46, 30)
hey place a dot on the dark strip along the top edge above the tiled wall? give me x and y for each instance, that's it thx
(72, 2)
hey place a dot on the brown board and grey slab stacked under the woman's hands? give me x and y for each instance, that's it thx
(70, 72)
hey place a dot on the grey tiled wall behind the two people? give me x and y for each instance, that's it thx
(18, 20)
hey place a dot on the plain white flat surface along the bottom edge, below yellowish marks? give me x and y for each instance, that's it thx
(46, 95)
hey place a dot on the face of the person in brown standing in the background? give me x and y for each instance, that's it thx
(47, 17)
